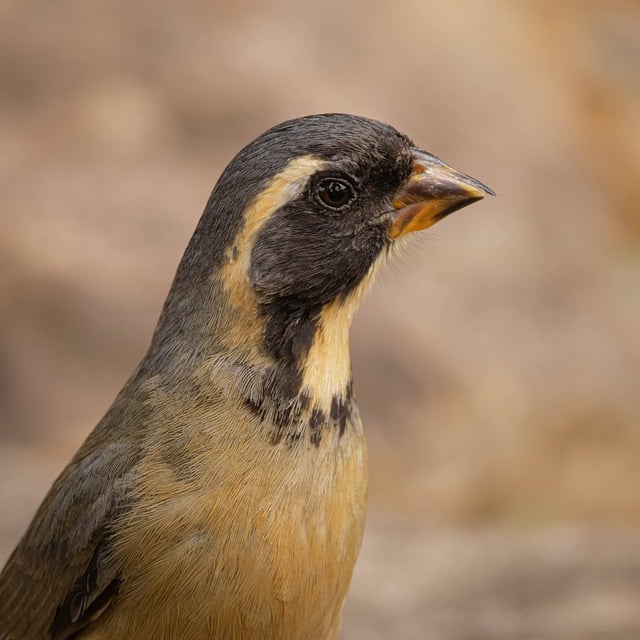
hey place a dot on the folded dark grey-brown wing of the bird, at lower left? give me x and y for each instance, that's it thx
(60, 577)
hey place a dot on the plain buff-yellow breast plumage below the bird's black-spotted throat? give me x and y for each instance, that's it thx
(260, 544)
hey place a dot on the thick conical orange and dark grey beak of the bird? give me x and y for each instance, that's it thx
(432, 192)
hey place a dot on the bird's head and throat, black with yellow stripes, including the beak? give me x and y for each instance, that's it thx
(294, 230)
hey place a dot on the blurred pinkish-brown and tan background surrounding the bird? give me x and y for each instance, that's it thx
(497, 366)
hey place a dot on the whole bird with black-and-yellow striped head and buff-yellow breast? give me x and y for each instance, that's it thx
(223, 494)
